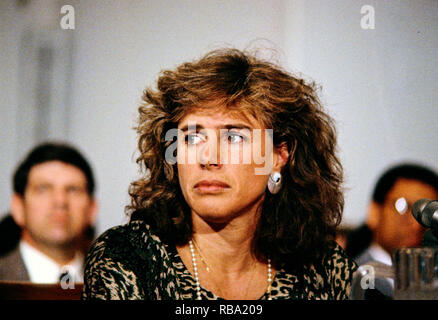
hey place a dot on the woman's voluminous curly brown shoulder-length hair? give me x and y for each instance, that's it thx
(297, 224)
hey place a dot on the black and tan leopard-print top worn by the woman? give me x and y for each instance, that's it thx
(130, 262)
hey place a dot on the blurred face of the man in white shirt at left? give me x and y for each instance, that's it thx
(56, 207)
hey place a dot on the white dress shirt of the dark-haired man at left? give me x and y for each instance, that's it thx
(42, 269)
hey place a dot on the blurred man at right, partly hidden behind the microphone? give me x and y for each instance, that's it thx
(390, 224)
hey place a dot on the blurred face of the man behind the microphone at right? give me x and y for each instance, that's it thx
(397, 227)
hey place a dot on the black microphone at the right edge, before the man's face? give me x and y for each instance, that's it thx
(425, 211)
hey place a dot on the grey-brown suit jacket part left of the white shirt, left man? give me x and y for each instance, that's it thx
(12, 267)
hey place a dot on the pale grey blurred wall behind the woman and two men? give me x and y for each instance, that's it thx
(83, 85)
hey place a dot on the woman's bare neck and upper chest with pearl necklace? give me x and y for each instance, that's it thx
(224, 257)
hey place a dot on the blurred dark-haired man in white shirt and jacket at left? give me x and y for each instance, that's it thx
(53, 204)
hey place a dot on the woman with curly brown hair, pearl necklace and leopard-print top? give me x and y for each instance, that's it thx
(247, 207)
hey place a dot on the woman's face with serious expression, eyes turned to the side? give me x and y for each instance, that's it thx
(224, 161)
